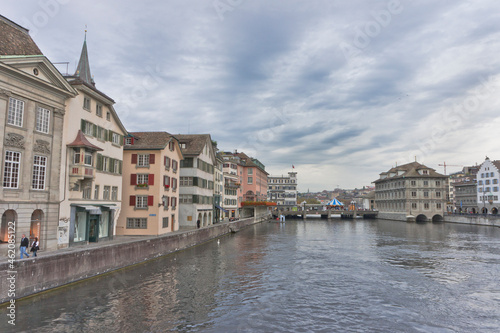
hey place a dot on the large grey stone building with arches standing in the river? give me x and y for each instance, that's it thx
(411, 190)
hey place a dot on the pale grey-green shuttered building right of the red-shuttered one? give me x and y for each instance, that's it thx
(196, 196)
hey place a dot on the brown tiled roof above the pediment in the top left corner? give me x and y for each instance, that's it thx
(15, 40)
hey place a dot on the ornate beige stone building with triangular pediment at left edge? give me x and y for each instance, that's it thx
(33, 95)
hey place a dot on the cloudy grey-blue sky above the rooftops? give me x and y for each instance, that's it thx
(342, 90)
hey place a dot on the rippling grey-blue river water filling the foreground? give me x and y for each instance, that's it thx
(301, 276)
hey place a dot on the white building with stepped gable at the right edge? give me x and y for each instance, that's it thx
(488, 178)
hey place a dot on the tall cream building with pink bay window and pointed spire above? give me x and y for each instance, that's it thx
(91, 177)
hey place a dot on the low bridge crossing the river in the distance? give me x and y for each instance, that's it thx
(322, 212)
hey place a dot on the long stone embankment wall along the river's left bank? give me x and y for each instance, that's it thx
(57, 269)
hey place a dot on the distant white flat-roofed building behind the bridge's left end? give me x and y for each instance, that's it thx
(283, 189)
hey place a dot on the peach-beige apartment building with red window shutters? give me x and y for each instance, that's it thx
(150, 184)
